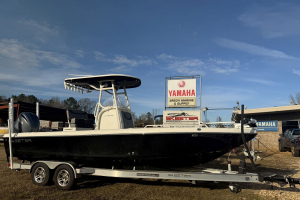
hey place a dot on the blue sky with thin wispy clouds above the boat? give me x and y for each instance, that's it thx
(246, 51)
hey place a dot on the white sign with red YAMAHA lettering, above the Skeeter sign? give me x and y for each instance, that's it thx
(182, 93)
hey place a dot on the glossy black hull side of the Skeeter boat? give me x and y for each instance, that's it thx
(178, 149)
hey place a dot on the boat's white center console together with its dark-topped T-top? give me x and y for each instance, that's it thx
(112, 115)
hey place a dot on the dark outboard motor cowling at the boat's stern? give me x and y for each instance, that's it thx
(27, 122)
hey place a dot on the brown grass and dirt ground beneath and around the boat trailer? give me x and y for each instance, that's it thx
(18, 185)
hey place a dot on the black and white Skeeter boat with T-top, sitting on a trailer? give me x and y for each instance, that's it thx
(113, 140)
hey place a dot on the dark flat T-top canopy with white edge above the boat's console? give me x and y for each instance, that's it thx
(120, 80)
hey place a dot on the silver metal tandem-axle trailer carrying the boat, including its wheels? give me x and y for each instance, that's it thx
(65, 174)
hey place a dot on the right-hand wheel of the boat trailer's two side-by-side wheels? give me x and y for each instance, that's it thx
(64, 177)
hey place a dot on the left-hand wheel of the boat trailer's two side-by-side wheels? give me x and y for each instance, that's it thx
(40, 174)
